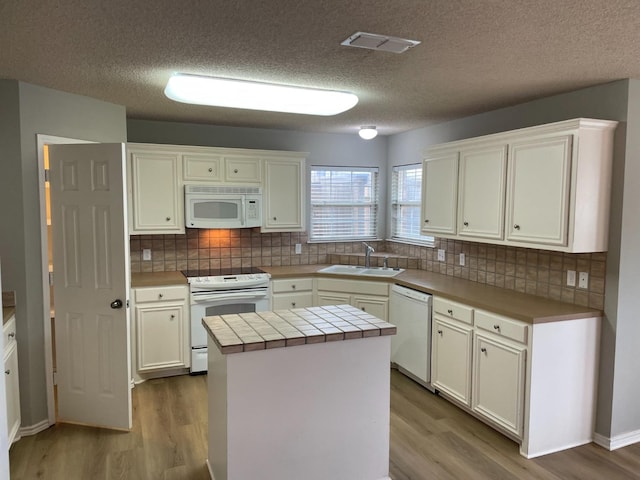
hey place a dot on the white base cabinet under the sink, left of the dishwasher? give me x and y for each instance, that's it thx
(369, 296)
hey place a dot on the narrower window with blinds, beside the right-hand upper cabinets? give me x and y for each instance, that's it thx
(406, 187)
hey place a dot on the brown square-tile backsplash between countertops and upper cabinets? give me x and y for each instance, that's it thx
(537, 272)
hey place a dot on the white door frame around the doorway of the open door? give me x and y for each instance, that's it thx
(43, 140)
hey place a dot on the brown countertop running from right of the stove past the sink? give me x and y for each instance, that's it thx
(519, 306)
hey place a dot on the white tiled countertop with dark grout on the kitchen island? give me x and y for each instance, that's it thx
(248, 332)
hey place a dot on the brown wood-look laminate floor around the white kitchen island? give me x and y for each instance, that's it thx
(430, 439)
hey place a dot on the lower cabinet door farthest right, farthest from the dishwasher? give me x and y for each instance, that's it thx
(498, 382)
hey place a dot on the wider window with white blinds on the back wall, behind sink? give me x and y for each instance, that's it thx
(344, 203)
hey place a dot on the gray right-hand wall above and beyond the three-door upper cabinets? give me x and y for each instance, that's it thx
(619, 387)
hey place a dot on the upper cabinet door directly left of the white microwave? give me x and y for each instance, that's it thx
(157, 204)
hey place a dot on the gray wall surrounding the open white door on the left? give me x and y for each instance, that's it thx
(28, 110)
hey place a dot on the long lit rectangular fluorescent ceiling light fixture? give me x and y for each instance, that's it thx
(224, 92)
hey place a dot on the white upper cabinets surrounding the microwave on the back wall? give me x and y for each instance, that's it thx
(158, 173)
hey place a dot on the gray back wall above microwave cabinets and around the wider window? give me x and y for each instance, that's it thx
(323, 148)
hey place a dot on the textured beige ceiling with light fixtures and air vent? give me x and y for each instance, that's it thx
(475, 55)
